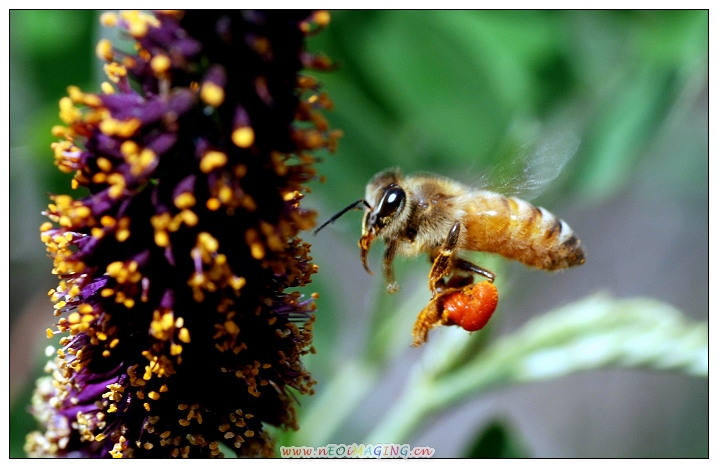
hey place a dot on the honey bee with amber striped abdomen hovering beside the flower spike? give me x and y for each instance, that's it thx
(426, 213)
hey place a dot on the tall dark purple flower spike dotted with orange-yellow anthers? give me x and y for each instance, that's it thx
(174, 269)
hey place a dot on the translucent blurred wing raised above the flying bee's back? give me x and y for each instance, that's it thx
(535, 165)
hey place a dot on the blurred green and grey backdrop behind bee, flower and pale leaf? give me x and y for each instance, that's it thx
(454, 92)
